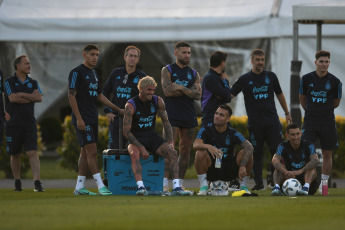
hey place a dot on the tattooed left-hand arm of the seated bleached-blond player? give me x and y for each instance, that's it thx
(127, 125)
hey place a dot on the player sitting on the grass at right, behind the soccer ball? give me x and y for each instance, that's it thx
(295, 158)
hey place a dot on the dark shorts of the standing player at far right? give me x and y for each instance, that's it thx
(328, 136)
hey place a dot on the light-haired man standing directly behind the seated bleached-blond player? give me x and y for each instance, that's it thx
(122, 84)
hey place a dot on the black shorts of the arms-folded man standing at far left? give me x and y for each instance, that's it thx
(17, 136)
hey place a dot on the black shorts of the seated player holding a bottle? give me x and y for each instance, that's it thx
(227, 172)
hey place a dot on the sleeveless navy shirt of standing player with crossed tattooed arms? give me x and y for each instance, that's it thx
(181, 109)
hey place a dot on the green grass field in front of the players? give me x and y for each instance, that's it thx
(59, 209)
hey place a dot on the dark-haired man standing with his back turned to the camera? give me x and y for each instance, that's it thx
(215, 87)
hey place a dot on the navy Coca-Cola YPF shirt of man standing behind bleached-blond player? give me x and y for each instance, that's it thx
(122, 86)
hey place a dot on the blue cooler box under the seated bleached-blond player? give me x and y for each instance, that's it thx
(118, 171)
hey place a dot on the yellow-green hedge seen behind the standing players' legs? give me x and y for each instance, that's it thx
(70, 149)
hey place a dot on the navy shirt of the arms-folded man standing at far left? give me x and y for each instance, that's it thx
(21, 114)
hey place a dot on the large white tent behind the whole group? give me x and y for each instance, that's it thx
(64, 26)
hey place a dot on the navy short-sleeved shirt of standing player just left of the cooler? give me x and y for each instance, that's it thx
(86, 82)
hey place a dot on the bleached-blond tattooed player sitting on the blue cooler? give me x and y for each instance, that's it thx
(139, 129)
